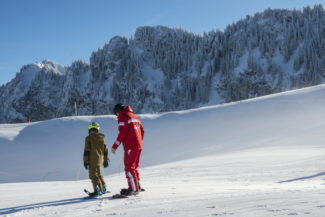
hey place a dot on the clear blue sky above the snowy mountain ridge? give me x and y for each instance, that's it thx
(67, 30)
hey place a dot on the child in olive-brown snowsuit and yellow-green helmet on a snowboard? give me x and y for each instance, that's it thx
(95, 148)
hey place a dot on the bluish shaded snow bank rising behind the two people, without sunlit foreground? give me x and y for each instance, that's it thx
(52, 150)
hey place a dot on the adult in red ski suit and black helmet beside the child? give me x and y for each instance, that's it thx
(131, 135)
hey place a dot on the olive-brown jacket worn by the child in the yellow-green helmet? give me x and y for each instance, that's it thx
(95, 148)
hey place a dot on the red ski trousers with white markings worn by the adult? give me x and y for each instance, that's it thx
(131, 163)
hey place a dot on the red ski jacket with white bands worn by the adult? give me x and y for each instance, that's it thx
(130, 130)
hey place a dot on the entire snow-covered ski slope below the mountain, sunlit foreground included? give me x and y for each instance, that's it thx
(260, 157)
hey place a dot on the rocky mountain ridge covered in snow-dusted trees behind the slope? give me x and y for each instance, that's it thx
(163, 69)
